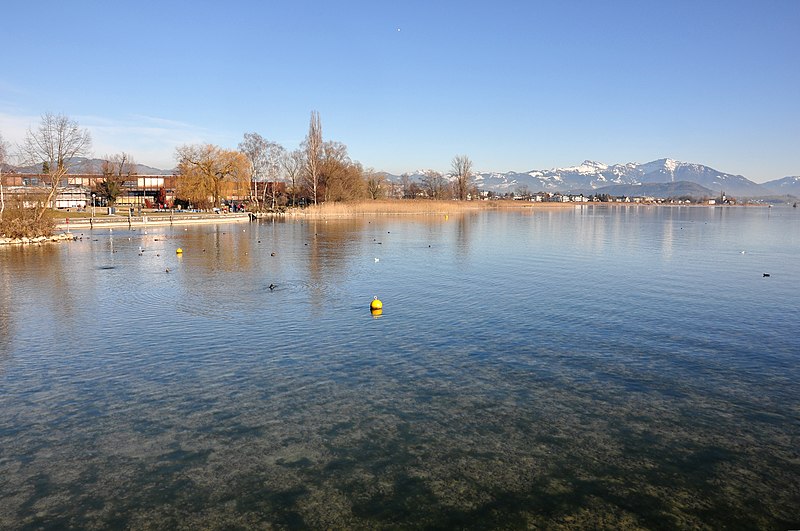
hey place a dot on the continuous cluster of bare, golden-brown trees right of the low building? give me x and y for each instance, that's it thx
(317, 171)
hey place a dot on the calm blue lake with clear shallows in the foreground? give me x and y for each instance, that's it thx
(607, 367)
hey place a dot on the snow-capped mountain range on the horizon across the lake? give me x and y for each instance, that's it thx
(591, 175)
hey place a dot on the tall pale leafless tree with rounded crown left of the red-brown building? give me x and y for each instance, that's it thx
(55, 145)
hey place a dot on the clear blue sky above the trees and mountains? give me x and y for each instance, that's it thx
(514, 85)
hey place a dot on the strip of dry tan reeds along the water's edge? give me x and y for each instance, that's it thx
(412, 207)
